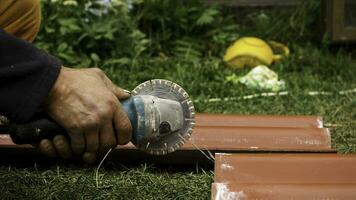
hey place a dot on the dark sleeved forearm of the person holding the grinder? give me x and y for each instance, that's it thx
(26, 76)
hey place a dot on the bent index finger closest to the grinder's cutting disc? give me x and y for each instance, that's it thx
(122, 126)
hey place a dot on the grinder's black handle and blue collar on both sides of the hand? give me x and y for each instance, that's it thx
(46, 128)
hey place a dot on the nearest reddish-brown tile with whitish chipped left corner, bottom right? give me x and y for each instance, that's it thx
(284, 176)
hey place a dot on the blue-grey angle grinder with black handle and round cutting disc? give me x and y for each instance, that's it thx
(160, 111)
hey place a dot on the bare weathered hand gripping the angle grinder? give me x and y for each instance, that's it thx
(86, 103)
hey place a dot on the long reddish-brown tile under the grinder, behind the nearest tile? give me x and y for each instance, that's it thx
(236, 133)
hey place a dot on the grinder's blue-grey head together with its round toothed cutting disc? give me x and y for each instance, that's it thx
(155, 105)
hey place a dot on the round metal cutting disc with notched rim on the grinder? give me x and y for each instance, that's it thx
(168, 90)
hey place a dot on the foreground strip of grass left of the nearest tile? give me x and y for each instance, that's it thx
(73, 182)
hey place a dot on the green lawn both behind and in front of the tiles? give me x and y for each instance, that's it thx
(311, 66)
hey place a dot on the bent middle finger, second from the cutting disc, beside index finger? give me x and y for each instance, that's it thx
(107, 137)
